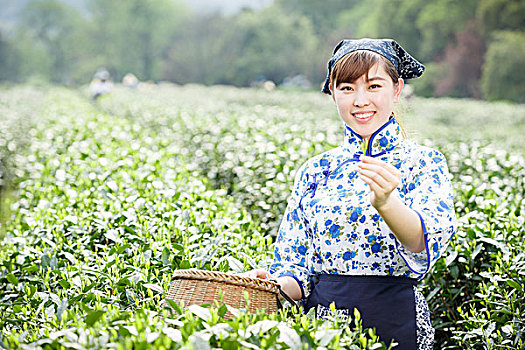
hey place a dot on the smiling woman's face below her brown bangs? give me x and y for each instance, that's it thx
(367, 103)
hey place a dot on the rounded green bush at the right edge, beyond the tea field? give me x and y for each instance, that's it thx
(504, 70)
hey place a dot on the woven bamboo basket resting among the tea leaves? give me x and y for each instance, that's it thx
(204, 287)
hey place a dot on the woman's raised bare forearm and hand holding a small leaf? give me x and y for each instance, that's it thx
(404, 222)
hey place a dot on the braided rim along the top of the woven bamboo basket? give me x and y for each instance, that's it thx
(223, 277)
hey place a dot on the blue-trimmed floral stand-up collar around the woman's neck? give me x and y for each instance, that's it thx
(383, 140)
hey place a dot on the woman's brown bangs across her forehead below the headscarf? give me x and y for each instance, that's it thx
(349, 68)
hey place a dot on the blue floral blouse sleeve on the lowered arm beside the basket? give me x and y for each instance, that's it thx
(293, 239)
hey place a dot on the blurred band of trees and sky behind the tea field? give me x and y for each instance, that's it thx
(472, 48)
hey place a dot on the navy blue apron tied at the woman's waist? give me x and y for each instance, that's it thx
(385, 303)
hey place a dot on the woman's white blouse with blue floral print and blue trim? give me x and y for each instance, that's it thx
(329, 225)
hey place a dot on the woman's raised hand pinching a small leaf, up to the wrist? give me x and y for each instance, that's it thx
(382, 178)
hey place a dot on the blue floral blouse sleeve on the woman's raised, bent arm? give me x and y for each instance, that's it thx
(429, 194)
